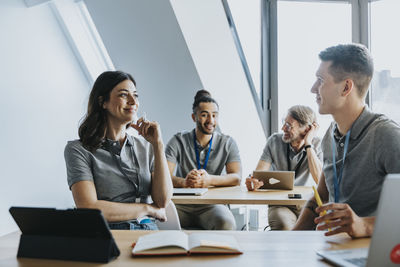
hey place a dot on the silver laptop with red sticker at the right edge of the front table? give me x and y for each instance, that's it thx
(385, 244)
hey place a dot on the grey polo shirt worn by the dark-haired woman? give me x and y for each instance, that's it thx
(135, 158)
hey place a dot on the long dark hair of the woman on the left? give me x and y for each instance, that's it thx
(92, 130)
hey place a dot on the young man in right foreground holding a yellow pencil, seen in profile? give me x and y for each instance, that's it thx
(360, 147)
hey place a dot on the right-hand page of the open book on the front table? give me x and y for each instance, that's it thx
(213, 243)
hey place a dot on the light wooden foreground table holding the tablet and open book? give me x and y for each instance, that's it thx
(274, 248)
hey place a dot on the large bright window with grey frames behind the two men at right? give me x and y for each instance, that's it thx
(293, 34)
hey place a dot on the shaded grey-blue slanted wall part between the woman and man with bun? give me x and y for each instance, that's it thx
(144, 39)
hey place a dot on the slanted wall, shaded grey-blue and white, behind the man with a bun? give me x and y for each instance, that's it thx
(173, 48)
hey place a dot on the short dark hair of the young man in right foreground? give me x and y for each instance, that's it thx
(350, 61)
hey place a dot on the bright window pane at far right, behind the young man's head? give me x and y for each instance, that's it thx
(385, 44)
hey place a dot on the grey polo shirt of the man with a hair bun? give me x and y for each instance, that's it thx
(180, 150)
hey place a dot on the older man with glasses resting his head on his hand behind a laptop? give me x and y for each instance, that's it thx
(296, 149)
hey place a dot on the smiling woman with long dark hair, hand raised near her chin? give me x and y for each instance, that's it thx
(110, 170)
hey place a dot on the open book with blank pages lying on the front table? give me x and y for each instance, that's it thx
(180, 243)
